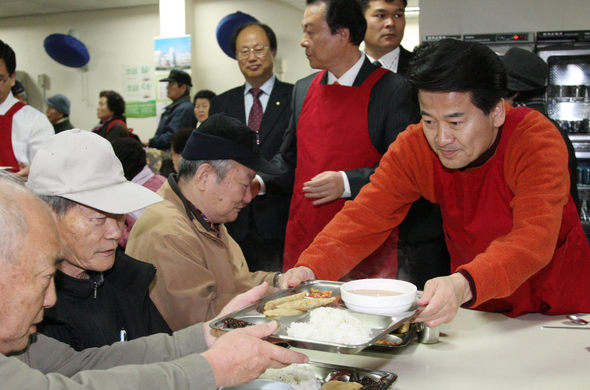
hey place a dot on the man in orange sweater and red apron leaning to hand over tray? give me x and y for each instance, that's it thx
(500, 175)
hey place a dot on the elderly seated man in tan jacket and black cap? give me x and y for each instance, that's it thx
(200, 267)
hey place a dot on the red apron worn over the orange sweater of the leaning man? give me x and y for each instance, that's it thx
(476, 210)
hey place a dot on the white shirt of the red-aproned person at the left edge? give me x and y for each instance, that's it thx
(30, 128)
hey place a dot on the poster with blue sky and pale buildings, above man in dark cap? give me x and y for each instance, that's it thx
(170, 53)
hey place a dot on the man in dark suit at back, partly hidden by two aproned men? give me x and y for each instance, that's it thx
(422, 252)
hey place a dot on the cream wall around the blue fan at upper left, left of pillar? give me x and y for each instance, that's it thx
(114, 38)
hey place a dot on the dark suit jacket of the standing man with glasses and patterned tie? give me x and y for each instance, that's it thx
(268, 212)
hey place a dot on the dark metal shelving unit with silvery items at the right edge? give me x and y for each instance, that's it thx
(568, 98)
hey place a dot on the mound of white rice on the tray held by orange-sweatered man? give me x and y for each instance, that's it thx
(332, 326)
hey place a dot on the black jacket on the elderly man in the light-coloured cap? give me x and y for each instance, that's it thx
(92, 312)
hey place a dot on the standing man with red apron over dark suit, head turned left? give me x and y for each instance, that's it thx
(343, 120)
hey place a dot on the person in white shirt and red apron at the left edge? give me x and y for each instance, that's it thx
(22, 127)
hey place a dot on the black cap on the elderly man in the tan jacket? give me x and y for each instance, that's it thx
(222, 137)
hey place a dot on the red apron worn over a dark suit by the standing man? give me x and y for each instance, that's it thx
(332, 135)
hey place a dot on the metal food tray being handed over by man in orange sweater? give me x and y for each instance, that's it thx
(381, 325)
